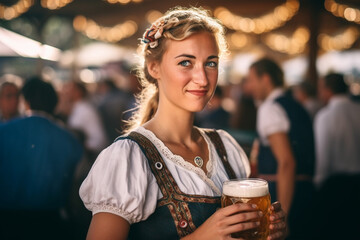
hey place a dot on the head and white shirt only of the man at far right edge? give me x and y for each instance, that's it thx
(337, 130)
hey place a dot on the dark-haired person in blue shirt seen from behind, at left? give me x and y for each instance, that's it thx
(38, 158)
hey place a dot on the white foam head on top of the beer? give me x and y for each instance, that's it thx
(247, 188)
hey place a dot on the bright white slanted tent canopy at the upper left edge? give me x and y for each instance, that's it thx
(13, 44)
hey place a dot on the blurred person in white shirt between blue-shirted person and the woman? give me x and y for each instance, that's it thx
(85, 119)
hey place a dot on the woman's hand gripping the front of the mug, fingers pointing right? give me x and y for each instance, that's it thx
(231, 219)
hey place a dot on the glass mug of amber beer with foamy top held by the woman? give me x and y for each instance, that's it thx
(251, 191)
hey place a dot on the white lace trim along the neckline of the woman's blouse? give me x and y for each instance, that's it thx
(177, 159)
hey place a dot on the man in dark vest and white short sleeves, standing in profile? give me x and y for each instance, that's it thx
(286, 152)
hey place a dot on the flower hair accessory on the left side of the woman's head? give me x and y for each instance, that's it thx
(155, 32)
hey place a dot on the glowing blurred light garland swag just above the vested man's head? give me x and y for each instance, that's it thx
(291, 45)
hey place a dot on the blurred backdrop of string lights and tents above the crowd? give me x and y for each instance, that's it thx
(79, 37)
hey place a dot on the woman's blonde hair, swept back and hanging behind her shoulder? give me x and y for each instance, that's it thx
(189, 21)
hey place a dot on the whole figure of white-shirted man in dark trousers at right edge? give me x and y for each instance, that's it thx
(337, 137)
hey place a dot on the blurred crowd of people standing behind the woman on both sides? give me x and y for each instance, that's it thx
(50, 137)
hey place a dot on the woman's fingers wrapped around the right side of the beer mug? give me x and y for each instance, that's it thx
(277, 222)
